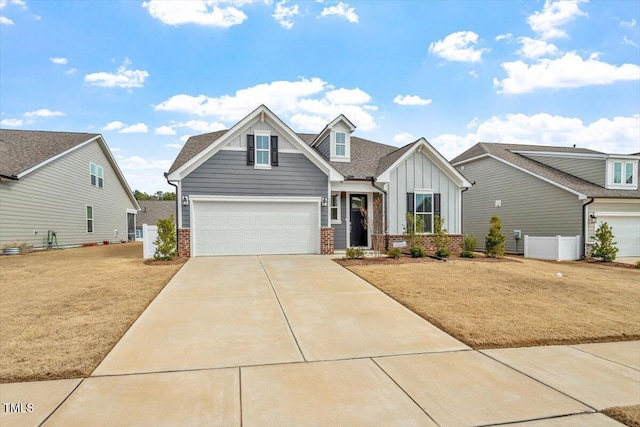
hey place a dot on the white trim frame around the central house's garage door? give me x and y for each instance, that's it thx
(195, 200)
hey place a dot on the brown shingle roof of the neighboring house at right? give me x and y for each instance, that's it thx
(505, 152)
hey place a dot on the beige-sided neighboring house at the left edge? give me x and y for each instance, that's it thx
(64, 182)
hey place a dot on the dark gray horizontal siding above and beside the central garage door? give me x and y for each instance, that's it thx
(227, 174)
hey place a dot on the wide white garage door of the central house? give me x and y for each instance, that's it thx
(255, 227)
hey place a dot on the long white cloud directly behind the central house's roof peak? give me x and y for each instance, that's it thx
(309, 102)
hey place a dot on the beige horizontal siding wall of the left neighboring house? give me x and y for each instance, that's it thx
(55, 196)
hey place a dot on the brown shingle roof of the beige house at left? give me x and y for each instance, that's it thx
(21, 150)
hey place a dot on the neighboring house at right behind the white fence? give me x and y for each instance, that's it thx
(549, 191)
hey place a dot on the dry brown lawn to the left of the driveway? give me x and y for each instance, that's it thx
(62, 311)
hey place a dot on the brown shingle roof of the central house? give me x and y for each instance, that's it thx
(366, 156)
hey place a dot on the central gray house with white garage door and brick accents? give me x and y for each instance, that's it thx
(261, 188)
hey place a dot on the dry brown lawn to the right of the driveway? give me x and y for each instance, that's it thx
(518, 303)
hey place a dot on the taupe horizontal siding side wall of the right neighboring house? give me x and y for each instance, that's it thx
(536, 207)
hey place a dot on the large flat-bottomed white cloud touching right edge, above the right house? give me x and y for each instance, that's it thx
(569, 70)
